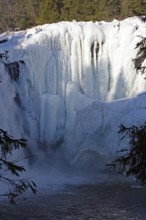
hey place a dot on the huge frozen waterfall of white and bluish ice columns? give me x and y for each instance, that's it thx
(69, 85)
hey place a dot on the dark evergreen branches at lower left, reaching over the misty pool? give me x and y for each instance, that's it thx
(9, 167)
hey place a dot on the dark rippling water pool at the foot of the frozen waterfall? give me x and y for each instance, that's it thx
(100, 202)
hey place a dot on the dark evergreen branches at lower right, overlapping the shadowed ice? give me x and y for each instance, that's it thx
(132, 162)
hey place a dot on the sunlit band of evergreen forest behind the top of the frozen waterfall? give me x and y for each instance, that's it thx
(28, 13)
